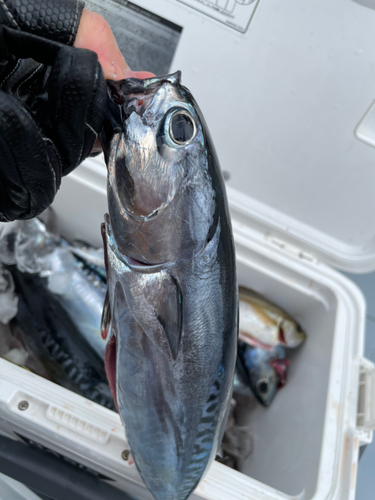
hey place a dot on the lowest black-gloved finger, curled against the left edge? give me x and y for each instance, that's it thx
(29, 165)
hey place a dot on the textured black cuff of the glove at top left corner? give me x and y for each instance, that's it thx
(53, 19)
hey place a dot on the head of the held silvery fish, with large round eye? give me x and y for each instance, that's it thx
(156, 152)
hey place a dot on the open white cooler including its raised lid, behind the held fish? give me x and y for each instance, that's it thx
(286, 89)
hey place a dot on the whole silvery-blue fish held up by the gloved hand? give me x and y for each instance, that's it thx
(172, 306)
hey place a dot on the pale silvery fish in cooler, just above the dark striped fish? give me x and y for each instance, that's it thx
(74, 274)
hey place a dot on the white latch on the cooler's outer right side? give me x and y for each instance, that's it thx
(366, 402)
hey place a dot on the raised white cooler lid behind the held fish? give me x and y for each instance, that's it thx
(286, 89)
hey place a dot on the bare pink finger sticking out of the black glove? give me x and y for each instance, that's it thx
(95, 34)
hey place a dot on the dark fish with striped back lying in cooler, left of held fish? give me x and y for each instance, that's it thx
(49, 335)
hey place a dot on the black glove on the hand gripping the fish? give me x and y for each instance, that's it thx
(52, 102)
